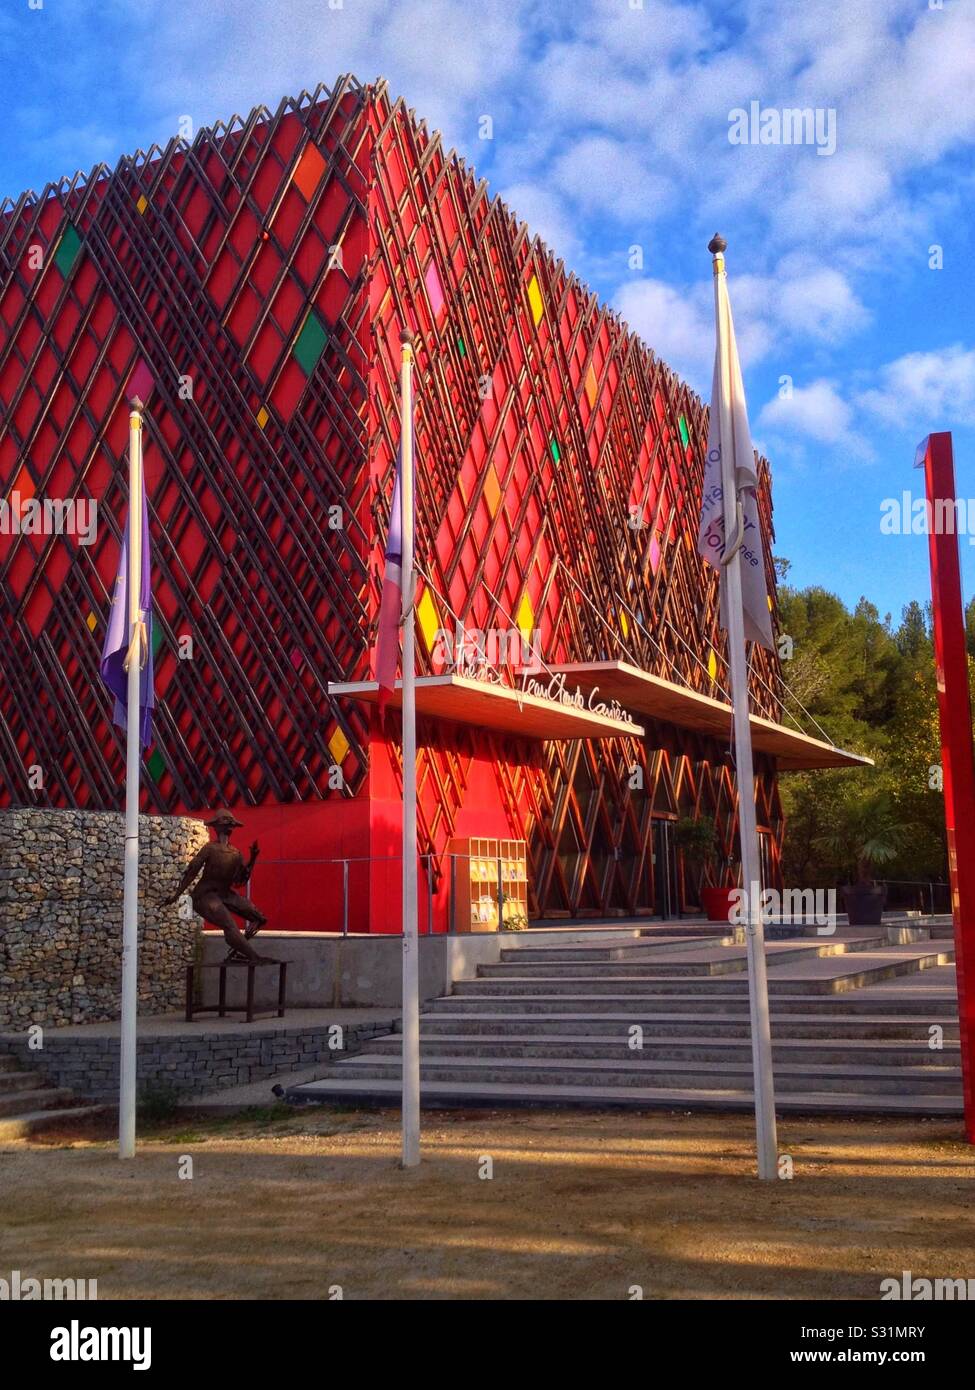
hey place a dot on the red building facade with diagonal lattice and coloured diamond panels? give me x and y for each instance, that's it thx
(255, 284)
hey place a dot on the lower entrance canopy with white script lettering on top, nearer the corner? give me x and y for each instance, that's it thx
(468, 701)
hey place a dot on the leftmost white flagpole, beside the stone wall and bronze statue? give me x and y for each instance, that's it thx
(127, 1068)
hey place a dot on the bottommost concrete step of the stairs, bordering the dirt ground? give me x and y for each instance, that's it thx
(387, 1093)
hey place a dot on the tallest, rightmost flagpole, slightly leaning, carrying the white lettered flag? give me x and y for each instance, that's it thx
(759, 990)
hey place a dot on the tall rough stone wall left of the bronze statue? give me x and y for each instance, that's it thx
(62, 915)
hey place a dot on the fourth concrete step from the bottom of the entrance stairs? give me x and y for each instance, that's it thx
(647, 1004)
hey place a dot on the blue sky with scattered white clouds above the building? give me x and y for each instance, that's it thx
(610, 131)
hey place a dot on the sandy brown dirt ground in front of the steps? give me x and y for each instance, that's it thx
(287, 1204)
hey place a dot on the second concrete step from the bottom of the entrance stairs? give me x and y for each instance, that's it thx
(789, 1077)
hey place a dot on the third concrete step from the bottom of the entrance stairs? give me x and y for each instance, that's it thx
(579, 1046)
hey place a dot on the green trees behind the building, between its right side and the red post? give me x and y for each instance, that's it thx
(871, 687)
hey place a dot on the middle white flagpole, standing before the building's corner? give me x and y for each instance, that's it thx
(411, 1061)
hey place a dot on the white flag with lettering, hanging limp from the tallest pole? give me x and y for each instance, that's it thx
(742, 469)
